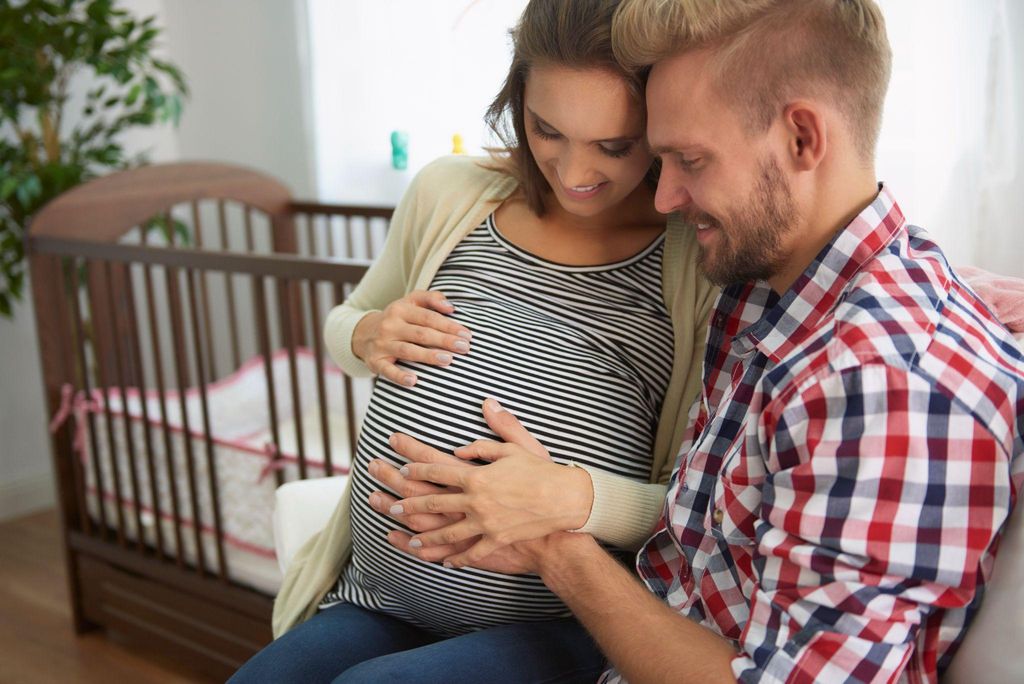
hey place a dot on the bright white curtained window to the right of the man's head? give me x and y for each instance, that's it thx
(949, 147)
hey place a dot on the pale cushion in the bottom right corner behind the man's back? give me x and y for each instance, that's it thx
(994, 650)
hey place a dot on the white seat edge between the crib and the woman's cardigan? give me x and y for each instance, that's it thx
(302, 509)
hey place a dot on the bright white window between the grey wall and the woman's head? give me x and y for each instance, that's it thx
(431, 69)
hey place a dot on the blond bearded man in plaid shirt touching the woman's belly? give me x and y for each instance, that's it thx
(858, 447)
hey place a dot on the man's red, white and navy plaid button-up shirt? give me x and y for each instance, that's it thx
(858, 450)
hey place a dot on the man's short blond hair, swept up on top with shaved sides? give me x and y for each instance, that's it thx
(766, 54)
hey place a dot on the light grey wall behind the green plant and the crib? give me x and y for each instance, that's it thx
(244, 64)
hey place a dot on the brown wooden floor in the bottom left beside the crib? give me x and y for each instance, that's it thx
(37, 640)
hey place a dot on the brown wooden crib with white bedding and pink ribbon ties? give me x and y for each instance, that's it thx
(180, 311)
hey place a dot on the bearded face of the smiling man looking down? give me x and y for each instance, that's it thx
(728, 184)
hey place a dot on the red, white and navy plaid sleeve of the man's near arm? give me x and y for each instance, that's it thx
(883, 496)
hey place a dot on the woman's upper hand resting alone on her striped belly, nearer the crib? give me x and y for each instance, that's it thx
(416, 329)
